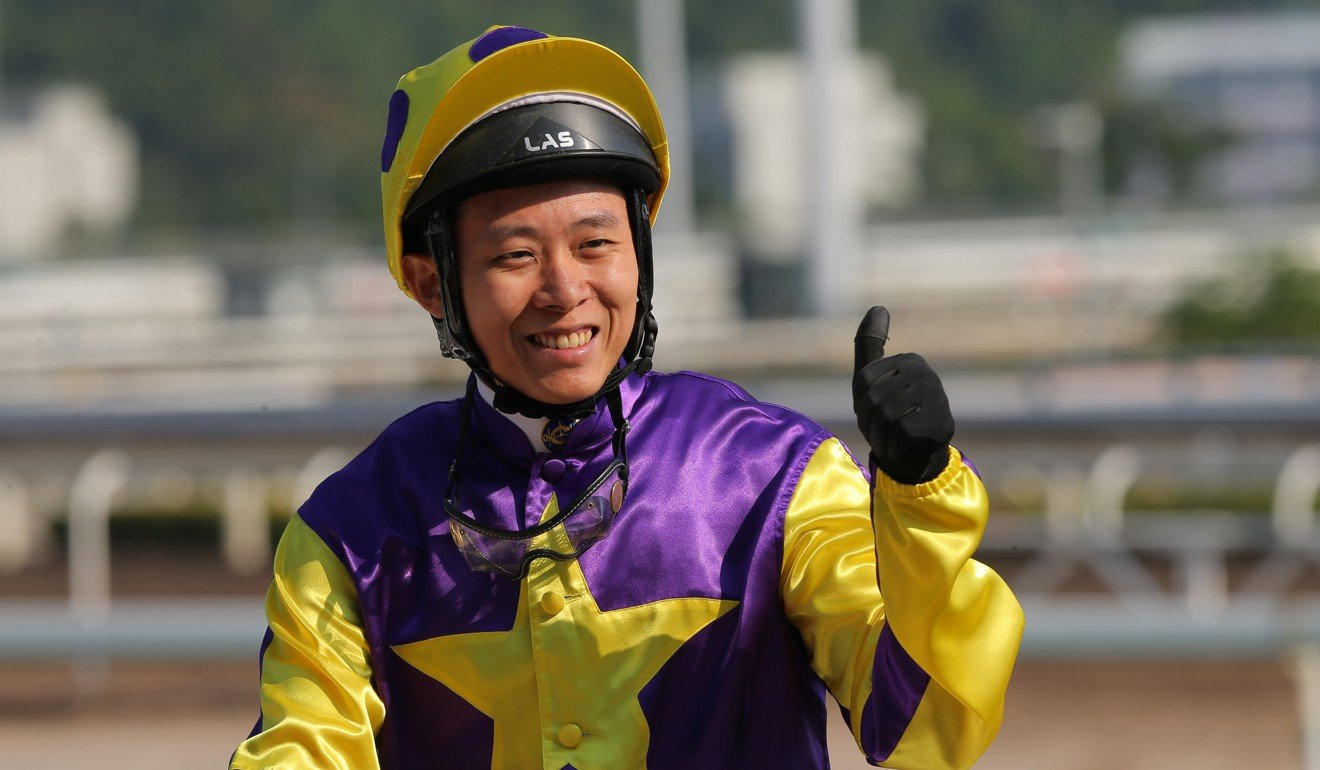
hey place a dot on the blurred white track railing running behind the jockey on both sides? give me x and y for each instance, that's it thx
(1166, 578)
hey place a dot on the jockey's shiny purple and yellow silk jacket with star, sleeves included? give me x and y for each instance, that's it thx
(736, 588)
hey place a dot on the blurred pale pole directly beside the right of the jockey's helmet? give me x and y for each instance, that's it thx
(665, 64)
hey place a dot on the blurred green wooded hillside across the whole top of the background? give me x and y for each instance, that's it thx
(270, 114)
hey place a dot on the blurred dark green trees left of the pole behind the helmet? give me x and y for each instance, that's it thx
(259, 114)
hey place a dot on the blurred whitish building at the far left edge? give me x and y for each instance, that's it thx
(65, 163)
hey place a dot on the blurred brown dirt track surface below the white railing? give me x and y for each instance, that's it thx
(1062, 717)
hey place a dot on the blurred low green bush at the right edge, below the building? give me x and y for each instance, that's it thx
(1272, 299)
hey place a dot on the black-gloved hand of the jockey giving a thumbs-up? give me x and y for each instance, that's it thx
(901, 406)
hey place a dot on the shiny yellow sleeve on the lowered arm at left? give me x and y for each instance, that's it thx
(319, 707)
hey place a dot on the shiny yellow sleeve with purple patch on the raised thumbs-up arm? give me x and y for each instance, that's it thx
(923, 669)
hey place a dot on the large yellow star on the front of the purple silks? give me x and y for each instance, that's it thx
(566, 666)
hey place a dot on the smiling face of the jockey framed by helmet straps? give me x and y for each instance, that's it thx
(550, 281)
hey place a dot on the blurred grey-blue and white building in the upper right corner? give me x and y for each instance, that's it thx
(1253, 77)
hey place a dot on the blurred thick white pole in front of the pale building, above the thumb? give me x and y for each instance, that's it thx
(834, 212)
